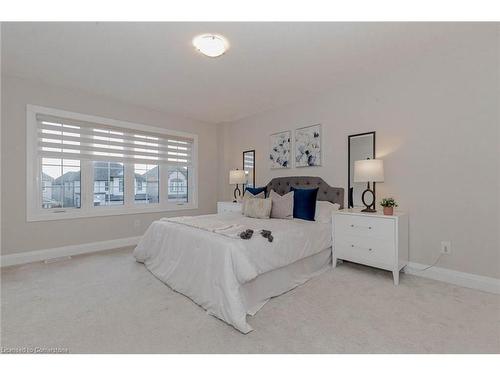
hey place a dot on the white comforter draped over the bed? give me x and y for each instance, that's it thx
(203, 258)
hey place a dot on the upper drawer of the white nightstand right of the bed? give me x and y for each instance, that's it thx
(364, 226)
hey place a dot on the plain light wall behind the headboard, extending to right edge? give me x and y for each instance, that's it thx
(437, 123)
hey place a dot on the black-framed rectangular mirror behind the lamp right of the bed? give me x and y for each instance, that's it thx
(360, 147)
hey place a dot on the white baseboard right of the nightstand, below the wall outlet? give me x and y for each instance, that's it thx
(468, 280)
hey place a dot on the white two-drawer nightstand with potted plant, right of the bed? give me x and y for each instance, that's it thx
(372, 239)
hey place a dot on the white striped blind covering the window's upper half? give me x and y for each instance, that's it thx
(72, 139)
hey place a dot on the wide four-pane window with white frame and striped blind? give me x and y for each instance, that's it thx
(83, 166)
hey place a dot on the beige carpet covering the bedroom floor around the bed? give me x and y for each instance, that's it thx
(108, 303)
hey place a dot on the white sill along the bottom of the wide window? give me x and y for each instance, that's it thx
(78, 213)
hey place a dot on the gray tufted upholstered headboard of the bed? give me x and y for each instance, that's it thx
(282, 185)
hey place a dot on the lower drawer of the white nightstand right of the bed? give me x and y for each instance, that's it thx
(363, 248)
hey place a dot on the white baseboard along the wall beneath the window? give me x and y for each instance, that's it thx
(40, 255)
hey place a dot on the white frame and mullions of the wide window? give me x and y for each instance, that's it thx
(34, 210)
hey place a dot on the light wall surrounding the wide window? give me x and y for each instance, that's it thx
(17, 234)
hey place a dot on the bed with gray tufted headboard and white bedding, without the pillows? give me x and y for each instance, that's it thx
(203, 258)
